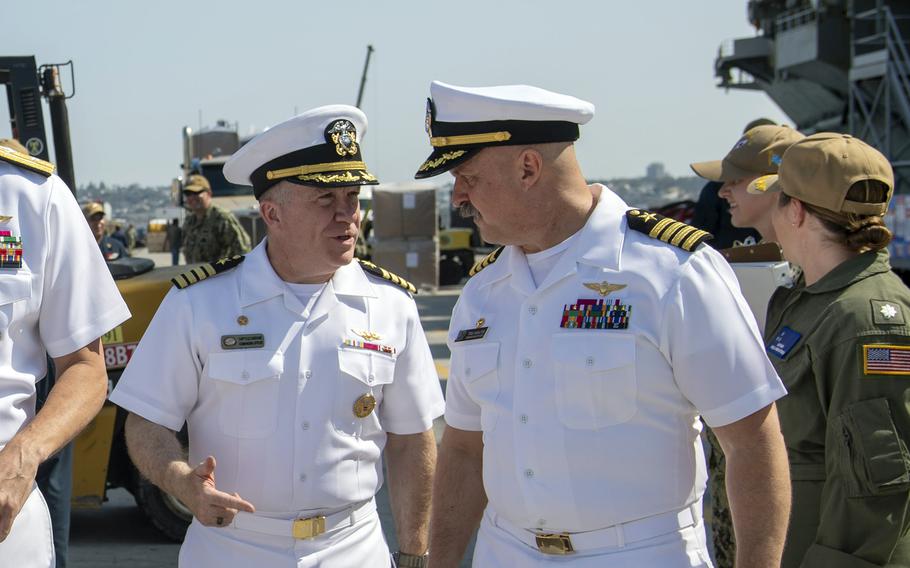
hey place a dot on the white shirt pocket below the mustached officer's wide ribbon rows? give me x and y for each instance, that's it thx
(595, 379)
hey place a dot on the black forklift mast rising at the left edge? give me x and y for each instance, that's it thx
(26, 84)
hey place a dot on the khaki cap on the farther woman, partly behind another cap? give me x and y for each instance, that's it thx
(758, 152)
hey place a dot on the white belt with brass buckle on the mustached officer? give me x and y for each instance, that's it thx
(549, 542)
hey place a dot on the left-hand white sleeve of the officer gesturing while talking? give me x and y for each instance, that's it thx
(161, 381)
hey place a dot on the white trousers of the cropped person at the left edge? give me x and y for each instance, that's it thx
(30, 543)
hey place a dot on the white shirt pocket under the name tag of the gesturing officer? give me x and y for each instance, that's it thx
(247, 382)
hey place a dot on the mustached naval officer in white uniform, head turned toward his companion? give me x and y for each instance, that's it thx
(583, 353)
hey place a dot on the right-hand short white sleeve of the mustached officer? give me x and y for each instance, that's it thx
(718, 358)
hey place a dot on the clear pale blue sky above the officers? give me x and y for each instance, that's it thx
(146, 69)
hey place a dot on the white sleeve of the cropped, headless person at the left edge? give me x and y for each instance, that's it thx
(80, 301)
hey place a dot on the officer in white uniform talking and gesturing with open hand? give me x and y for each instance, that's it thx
(295, 368)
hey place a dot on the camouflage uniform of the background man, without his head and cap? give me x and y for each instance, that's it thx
(217, 235)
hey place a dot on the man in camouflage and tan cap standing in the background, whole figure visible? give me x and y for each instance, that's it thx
(210, 233)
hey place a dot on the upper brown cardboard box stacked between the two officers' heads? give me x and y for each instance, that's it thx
(404, 211)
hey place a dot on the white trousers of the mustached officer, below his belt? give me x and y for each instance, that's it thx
(683, 548)
